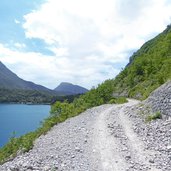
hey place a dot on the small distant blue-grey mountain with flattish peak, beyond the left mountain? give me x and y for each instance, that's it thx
(70, 89)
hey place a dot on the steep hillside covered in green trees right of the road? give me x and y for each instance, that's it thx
(148, 68)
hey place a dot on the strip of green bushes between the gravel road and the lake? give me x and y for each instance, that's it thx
(60, 111)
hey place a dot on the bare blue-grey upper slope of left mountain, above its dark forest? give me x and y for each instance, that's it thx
(9, 80)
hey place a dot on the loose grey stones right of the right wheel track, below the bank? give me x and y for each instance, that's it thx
(155, 135)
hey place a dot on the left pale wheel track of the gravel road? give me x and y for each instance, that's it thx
(106, 145)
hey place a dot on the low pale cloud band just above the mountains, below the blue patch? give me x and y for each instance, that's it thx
(51, 70)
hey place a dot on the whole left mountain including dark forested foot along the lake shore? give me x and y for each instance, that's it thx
(17, 90)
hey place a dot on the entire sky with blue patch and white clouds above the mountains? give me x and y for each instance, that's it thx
(80, 41)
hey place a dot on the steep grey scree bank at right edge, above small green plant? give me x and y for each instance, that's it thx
(160, 99)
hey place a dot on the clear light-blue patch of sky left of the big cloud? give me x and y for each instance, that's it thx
(11, 20)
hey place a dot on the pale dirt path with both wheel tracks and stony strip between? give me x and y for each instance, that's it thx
(119, 146)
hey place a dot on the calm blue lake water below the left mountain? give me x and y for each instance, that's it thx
(21, 119)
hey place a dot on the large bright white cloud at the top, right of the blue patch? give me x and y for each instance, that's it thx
(69, 23)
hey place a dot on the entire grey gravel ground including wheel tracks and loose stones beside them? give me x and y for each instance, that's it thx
(104, 138)
